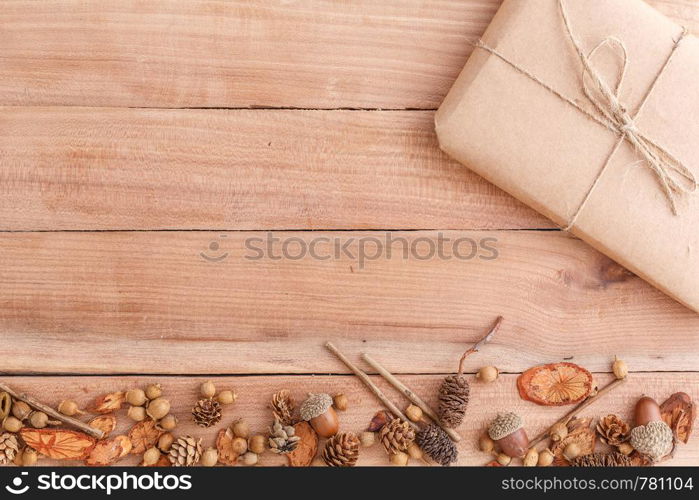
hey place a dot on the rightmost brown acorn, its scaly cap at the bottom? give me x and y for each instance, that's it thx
(651, 436)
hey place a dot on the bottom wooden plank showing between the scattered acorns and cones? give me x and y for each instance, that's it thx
(254, 393)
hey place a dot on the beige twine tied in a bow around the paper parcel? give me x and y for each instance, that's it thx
(673, 176)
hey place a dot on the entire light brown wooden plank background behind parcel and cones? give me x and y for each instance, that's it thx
(315, 122)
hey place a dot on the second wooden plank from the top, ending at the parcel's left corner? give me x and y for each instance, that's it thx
(109, 168)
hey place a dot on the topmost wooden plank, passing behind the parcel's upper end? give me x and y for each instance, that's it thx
(203, 53)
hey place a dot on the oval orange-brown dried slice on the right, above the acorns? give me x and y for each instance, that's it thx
(556, 384)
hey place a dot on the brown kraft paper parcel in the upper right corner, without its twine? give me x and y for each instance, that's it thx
(529, 142)
